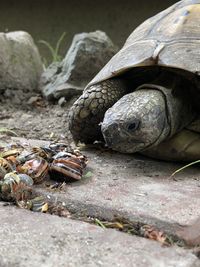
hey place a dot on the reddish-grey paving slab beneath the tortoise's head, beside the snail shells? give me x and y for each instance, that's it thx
(138, 188)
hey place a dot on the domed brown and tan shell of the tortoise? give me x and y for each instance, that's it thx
(169, 39)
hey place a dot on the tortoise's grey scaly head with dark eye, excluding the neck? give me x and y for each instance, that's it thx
(137, 121)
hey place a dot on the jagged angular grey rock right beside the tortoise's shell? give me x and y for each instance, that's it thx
(88, 53)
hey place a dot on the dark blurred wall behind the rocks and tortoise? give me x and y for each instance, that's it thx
(49, 19)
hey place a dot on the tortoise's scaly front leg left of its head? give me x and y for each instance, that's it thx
(88, 111)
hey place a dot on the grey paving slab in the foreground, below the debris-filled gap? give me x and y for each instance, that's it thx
(35, 239)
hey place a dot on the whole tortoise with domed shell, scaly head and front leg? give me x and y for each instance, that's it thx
(146, 98)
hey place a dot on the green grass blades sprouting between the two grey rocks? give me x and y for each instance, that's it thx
(54, 51)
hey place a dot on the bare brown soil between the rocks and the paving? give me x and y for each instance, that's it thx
(31, 116)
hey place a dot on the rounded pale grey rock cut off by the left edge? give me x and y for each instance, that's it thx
(20, 63)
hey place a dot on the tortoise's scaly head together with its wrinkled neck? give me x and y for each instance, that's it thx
(146, 117)
